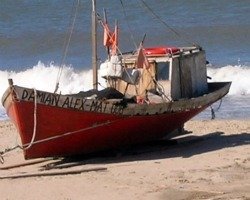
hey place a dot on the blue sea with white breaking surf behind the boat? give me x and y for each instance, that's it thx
(33, 36)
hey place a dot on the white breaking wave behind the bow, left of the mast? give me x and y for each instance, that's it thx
(43, 77)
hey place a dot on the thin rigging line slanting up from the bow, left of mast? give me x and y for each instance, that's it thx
(67, 41)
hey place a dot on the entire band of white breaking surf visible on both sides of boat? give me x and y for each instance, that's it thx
(43, 77)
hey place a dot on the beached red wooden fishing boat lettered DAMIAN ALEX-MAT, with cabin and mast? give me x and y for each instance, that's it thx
(150, 93)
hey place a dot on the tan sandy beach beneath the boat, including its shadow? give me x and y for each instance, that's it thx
(212, 162)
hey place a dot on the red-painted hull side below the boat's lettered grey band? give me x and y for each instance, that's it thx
(66, 132)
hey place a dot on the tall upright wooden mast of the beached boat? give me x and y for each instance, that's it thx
(94, 45)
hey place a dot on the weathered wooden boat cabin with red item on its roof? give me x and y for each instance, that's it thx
(171, 74)
